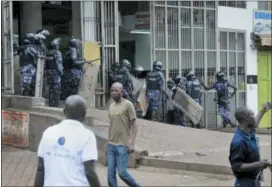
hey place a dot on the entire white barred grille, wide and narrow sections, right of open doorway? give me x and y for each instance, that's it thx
(185, 37)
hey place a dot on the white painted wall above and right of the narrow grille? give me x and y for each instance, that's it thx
(242, 19)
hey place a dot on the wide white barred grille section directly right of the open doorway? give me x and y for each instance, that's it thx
(184, 39)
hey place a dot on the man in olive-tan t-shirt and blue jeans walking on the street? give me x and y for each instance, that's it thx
(122, 135)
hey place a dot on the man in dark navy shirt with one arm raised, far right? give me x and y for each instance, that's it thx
(244, 153)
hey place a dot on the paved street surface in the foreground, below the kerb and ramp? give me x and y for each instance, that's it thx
(19, 167)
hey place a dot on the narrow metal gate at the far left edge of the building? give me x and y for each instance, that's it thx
(7, 43)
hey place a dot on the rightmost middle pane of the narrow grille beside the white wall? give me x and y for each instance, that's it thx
(241, 70)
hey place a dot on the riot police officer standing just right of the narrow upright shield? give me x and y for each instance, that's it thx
(54, 70)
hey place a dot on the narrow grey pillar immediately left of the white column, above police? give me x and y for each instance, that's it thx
(76, 19)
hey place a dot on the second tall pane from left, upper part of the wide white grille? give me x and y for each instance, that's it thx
(173, 37)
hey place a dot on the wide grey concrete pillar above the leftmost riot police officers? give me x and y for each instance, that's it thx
(31, 16)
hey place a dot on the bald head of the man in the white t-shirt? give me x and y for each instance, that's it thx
(75, 108)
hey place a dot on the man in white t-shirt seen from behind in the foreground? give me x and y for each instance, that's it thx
(67, 151)
